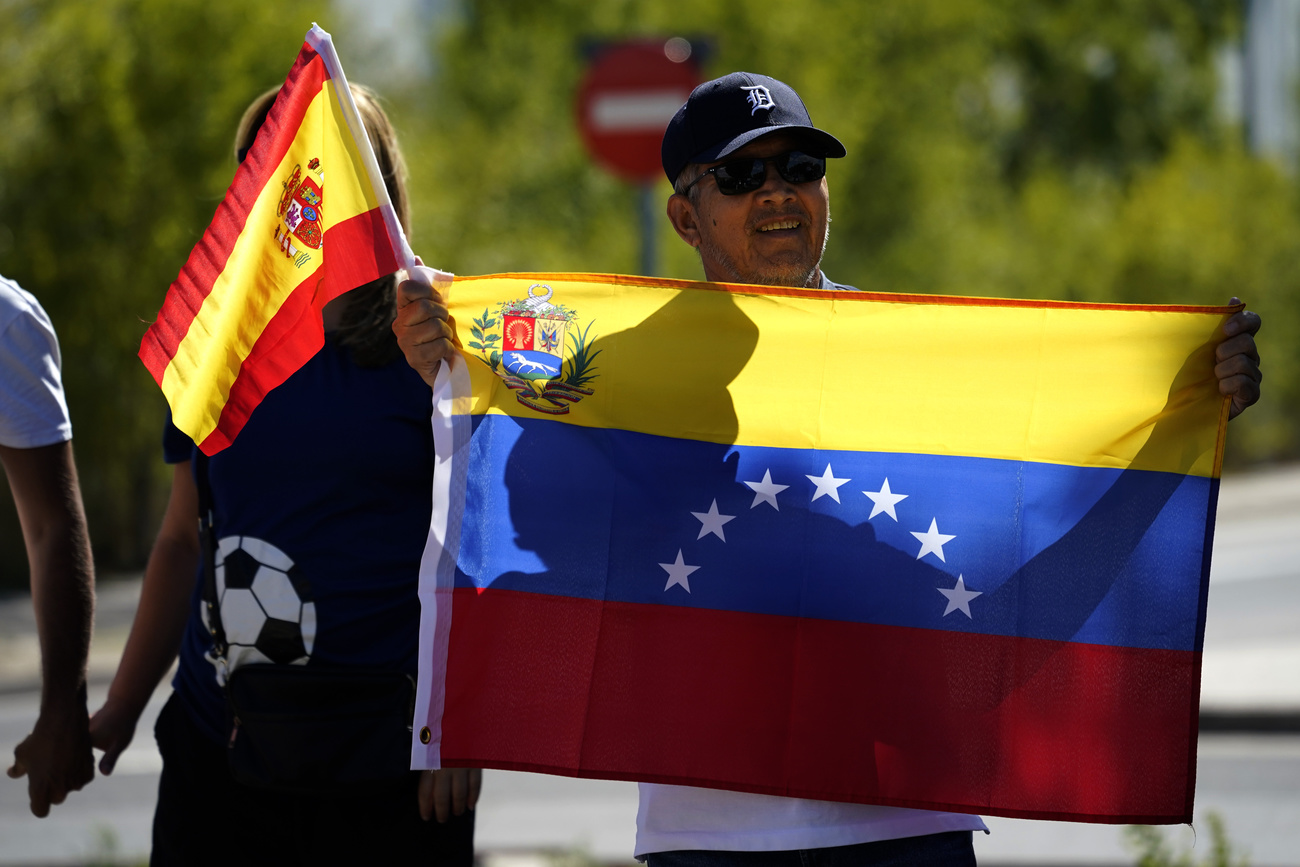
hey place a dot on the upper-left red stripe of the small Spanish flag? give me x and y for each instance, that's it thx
(210, 257)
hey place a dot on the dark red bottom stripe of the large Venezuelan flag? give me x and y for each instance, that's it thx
(915, 718)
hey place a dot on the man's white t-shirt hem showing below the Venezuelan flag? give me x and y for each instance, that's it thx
(674, 817)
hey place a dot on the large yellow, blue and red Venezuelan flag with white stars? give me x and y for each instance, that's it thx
(943, 553)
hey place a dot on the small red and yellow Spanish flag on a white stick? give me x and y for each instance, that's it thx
(306, 219)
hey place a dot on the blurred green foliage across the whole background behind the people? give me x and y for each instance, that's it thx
(996, 148)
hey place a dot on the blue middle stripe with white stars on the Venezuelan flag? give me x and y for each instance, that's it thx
(1033, 556)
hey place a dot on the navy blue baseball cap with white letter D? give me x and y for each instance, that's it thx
(730, 112)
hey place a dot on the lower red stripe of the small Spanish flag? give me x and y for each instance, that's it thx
(296, 333)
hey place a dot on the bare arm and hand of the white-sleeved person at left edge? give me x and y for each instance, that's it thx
(57, 756)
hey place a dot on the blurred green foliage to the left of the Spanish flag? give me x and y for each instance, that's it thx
(119, 116)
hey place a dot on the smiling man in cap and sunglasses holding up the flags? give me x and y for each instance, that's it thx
(748, 168)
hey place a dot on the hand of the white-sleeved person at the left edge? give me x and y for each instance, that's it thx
(55, 758)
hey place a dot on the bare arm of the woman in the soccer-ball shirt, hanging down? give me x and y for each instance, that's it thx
(159, 625)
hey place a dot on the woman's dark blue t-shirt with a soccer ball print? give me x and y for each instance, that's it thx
(330, 487)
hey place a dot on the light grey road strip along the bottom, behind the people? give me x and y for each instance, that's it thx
(1253, 781)
